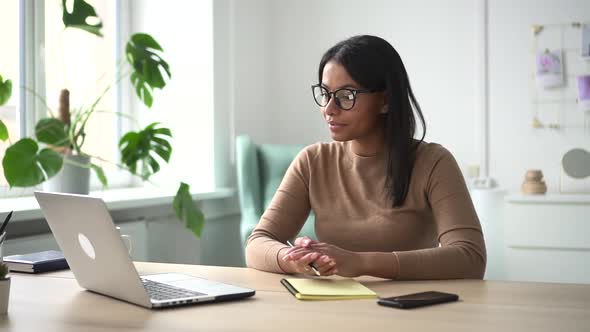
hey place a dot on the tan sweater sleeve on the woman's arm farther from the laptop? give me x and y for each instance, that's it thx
(462, 252)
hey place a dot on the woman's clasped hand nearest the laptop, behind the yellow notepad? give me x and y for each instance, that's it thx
(298, 259)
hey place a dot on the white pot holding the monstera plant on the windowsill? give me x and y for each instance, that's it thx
(71, 178)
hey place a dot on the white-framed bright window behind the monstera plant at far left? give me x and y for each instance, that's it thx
(46, 58)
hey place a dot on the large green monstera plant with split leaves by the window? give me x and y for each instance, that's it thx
(33, 160)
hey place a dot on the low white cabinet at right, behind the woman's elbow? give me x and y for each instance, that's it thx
(547, 238)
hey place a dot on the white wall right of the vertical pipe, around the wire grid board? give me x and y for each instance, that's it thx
(515, 146)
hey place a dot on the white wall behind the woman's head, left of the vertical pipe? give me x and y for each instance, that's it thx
(439, 53)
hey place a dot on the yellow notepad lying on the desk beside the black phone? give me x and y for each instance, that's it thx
(327, 289)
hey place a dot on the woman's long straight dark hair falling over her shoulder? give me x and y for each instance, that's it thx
(373, 63)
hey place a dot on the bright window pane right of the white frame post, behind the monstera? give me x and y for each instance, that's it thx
(84, 64)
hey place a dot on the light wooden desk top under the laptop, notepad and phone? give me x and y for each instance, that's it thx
(54, 302)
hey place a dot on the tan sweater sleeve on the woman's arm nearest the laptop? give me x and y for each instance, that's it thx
(283, 218)
